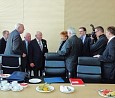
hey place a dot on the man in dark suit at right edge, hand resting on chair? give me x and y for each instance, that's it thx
(108, 57)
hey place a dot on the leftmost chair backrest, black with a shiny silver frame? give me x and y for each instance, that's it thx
(10, 63)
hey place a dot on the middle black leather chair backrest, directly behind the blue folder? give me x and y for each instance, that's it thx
(54, 65)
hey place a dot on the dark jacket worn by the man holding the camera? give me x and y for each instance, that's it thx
(99, 46)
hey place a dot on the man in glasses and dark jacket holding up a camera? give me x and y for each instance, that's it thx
(99, 46)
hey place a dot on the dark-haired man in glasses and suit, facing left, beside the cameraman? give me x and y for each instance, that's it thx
(85, 40)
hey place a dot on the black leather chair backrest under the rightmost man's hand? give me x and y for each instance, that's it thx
(89, 69)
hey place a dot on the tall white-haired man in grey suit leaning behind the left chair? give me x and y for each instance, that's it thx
(14, 42)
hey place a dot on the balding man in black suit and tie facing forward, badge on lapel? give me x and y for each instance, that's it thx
(37, 49)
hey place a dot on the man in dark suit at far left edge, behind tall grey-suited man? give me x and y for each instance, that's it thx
(3, 41)
